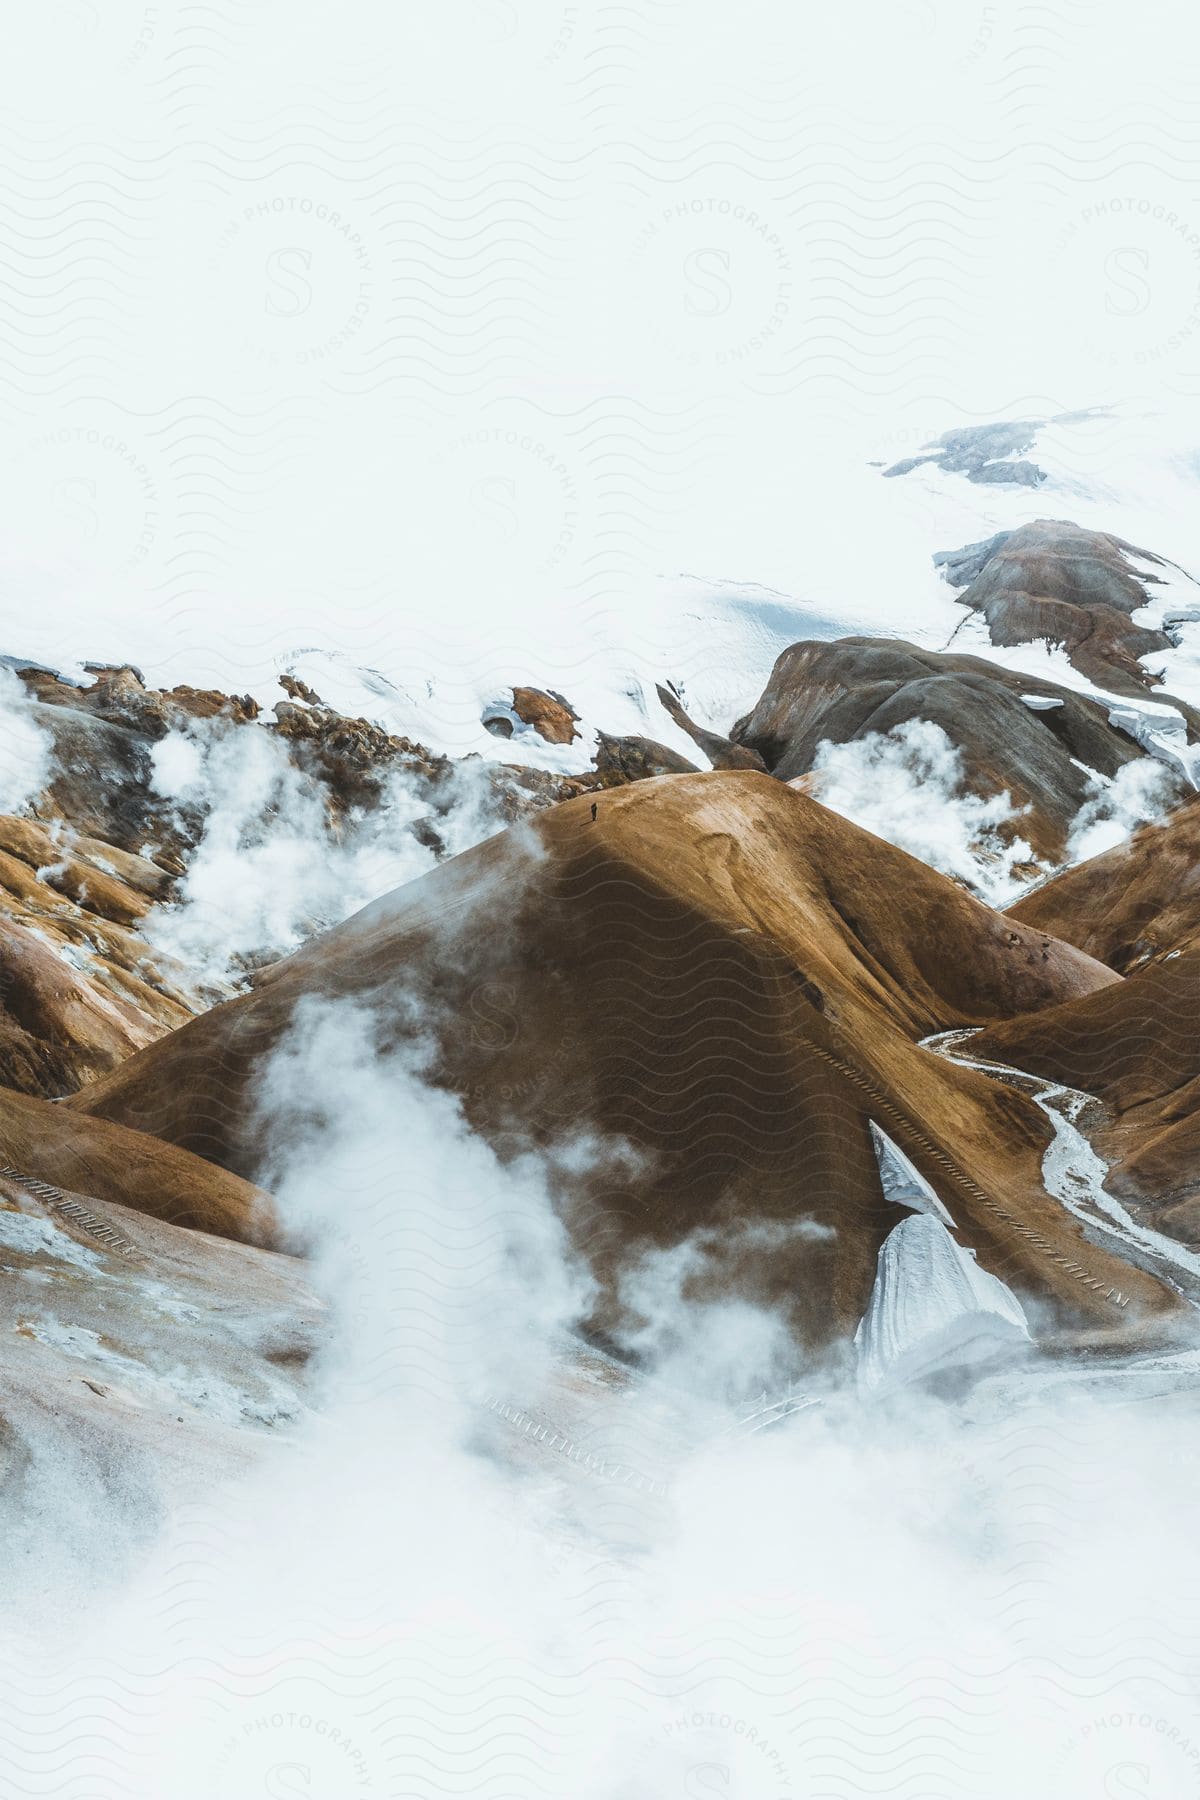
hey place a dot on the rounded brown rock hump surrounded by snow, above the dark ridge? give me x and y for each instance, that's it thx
(1070, 586)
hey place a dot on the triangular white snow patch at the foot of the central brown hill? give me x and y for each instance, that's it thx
(933, 1306)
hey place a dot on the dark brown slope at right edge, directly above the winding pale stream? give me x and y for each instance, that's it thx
(1138, 1048)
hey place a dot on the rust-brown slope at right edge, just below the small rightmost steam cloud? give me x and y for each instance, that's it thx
(1136, 903)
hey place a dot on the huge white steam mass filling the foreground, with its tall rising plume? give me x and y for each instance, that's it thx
(416, 1594)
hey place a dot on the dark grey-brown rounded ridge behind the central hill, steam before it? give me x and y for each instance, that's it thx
(1017, 735)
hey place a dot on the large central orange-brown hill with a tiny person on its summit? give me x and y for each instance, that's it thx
(724, 976)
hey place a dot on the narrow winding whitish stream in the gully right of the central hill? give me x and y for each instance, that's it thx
(1075, 1174)
